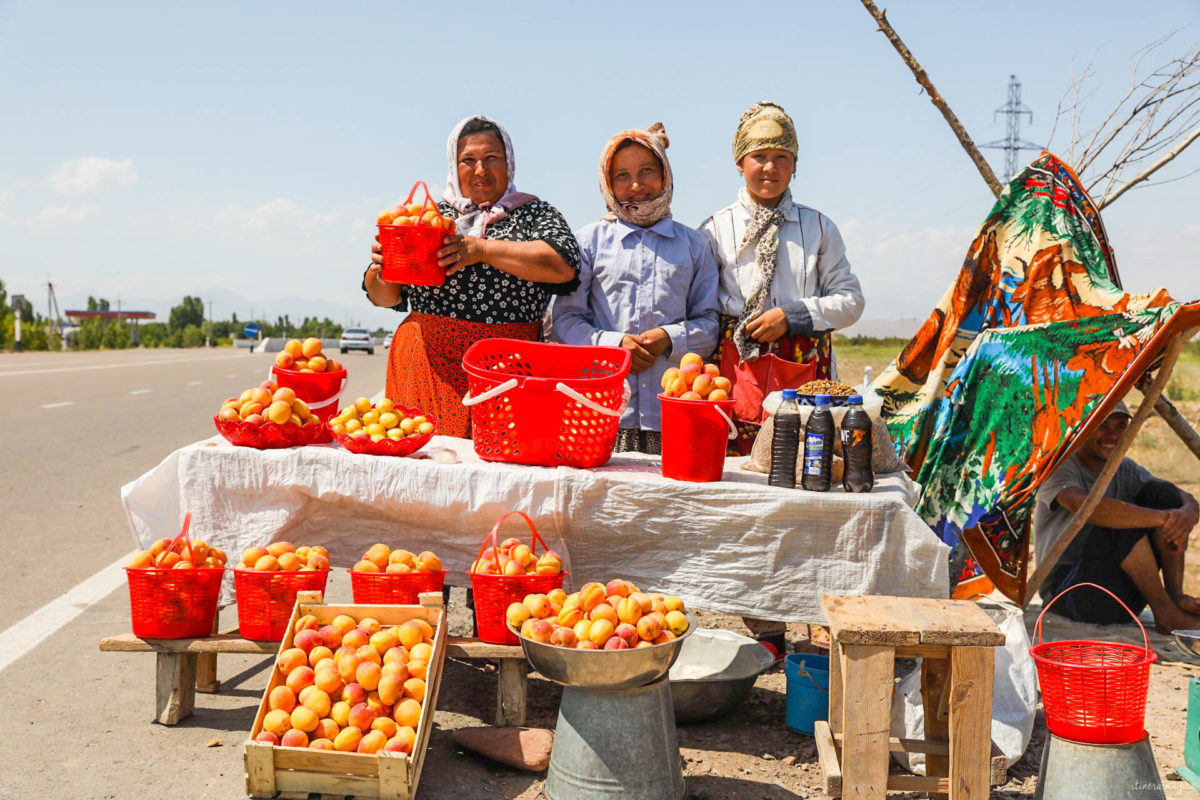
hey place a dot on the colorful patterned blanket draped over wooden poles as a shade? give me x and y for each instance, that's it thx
(1034, 339)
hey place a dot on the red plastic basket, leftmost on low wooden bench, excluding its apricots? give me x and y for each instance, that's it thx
(173, 604)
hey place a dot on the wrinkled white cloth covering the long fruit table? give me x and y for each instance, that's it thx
(737, 546)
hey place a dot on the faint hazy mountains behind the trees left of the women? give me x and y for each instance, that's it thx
(226, 303)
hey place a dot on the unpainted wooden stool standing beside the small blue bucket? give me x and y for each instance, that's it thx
(955, 641)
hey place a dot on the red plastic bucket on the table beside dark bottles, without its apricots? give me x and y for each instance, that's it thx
(695, 437)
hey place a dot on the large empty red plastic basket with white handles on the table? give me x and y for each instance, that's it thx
(547, 405)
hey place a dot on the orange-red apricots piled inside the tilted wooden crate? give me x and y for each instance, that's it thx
(352, 685)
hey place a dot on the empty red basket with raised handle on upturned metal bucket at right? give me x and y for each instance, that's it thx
(1094, 691)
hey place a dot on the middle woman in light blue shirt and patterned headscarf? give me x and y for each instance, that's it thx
(647, 284)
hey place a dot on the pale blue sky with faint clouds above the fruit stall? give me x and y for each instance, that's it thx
(241, 152)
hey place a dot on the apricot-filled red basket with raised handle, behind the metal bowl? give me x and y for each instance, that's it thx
(506, 575)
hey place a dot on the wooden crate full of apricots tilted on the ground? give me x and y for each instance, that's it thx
(351, 701)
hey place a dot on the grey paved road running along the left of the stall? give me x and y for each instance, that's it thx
(77, 428)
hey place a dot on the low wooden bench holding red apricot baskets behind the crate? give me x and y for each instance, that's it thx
(189, 666)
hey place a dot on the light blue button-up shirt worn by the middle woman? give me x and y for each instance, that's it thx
(633, 280)
